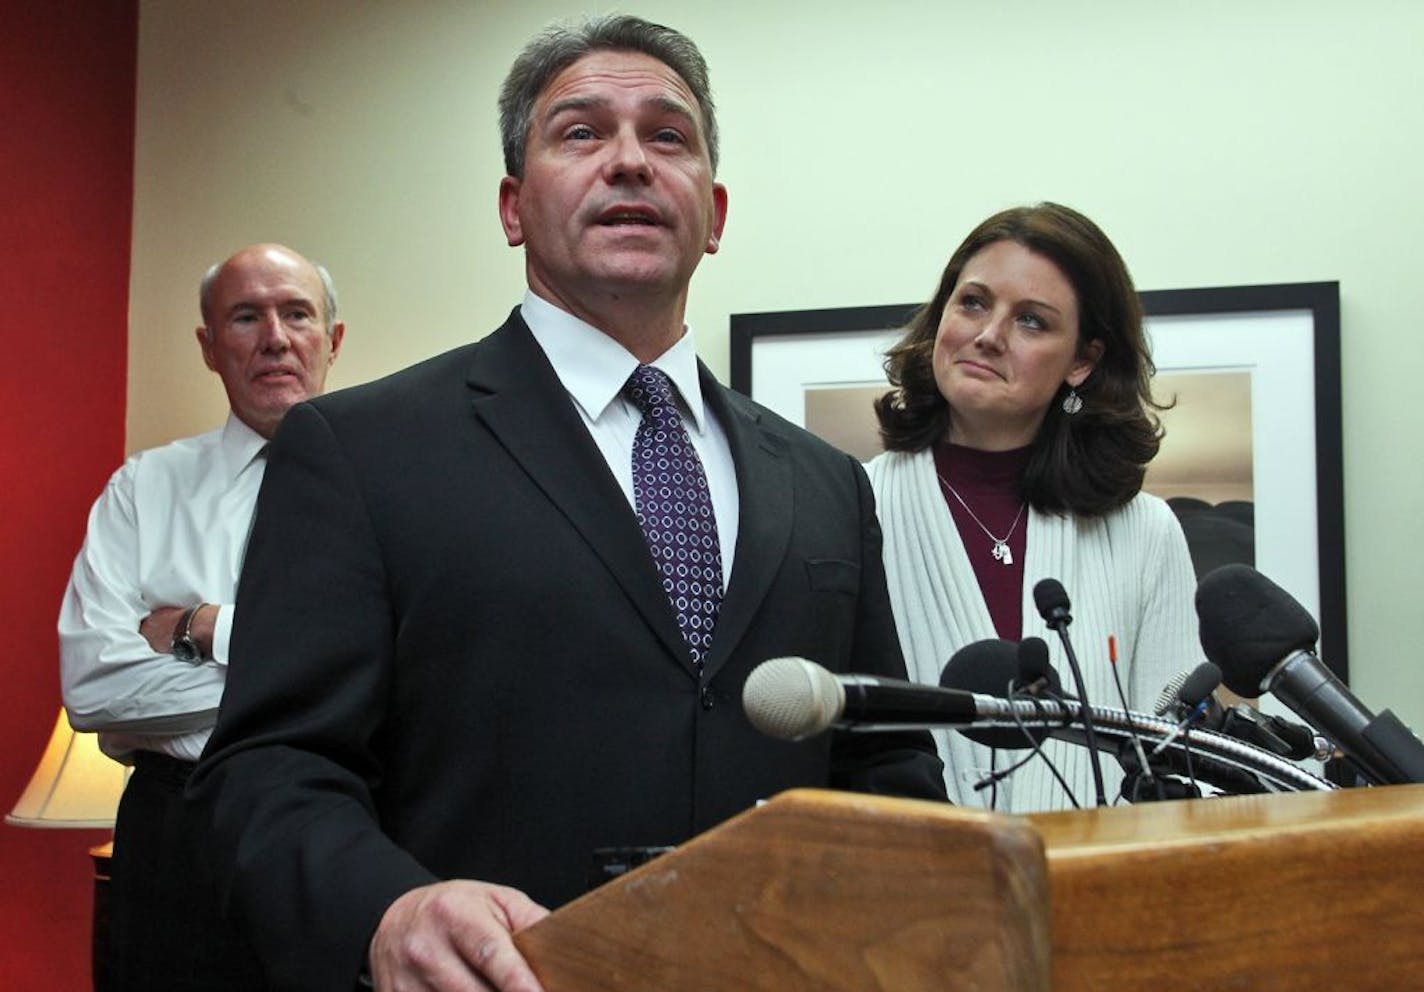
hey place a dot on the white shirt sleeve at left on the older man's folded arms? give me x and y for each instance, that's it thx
(112, 678)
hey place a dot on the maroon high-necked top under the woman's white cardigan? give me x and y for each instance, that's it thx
(992, 485)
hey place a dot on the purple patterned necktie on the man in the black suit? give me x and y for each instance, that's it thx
(676, 510)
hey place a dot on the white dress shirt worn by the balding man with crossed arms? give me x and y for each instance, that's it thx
(170, 530)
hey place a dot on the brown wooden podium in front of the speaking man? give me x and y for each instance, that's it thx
(839, 893)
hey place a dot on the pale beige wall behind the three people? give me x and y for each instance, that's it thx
(1217, 143)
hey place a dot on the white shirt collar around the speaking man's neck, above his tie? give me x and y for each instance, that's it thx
(595, 368)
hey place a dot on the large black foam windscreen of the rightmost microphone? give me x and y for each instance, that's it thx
(1248, 626)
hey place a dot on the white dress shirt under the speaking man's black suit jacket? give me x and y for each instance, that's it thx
(595, 369)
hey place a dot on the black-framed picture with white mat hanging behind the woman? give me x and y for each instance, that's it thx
(1252, 456)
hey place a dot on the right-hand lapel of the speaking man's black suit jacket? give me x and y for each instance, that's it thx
(765, 500)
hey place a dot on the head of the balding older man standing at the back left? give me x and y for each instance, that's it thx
(268, 339)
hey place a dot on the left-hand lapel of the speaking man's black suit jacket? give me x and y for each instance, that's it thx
(520, 399)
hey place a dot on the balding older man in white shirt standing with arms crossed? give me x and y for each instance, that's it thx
(147, 617)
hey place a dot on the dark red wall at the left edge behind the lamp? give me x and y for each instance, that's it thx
(68, 76)
